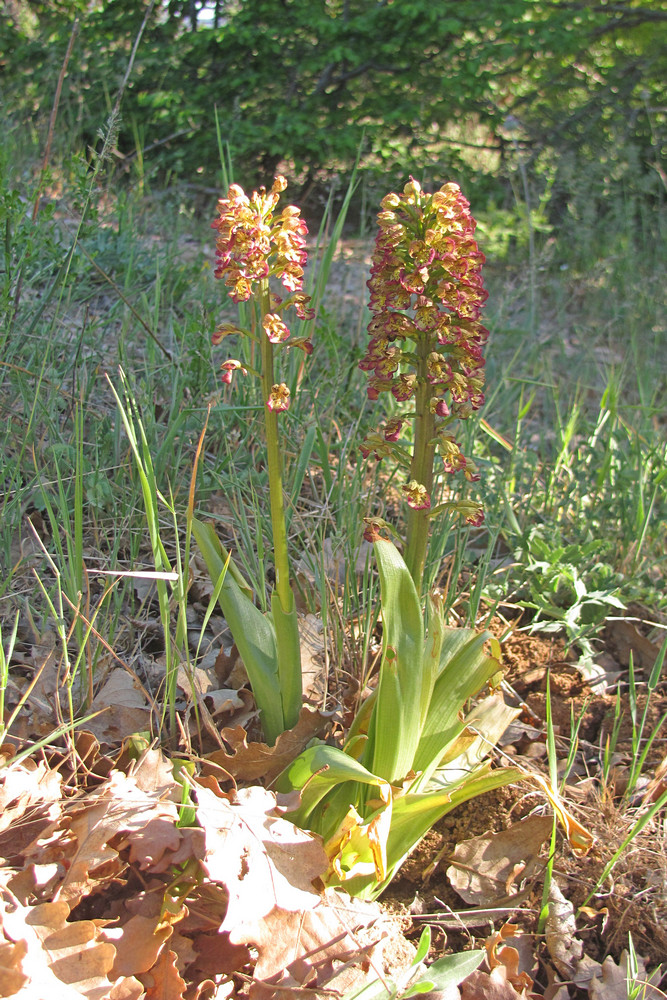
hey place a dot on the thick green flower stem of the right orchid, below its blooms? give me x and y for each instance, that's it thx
(421, 467)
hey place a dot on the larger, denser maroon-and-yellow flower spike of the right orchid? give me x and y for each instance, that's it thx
(426, 338)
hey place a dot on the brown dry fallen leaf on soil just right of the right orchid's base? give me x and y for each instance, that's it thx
(484, 869)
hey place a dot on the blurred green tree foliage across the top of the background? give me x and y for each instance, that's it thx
(440, 89)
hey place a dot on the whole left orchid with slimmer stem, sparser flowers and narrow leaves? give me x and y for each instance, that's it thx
(254, 245)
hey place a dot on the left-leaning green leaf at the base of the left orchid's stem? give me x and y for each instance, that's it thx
(253, 632)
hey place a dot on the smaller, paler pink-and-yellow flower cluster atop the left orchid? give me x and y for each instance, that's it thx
(252, 246)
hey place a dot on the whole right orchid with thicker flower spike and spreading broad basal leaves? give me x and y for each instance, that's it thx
(415, 749)
